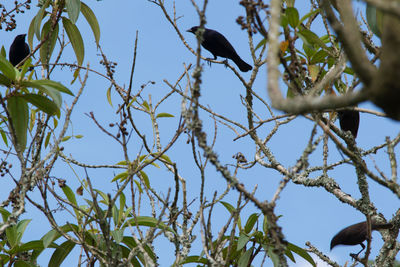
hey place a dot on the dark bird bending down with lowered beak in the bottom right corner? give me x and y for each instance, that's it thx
(356, 234)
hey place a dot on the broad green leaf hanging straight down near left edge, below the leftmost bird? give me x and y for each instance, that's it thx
(19, 113)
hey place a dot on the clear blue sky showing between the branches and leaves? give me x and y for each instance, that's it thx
(308, 214)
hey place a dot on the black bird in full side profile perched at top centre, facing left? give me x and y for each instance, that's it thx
(218, 45)
